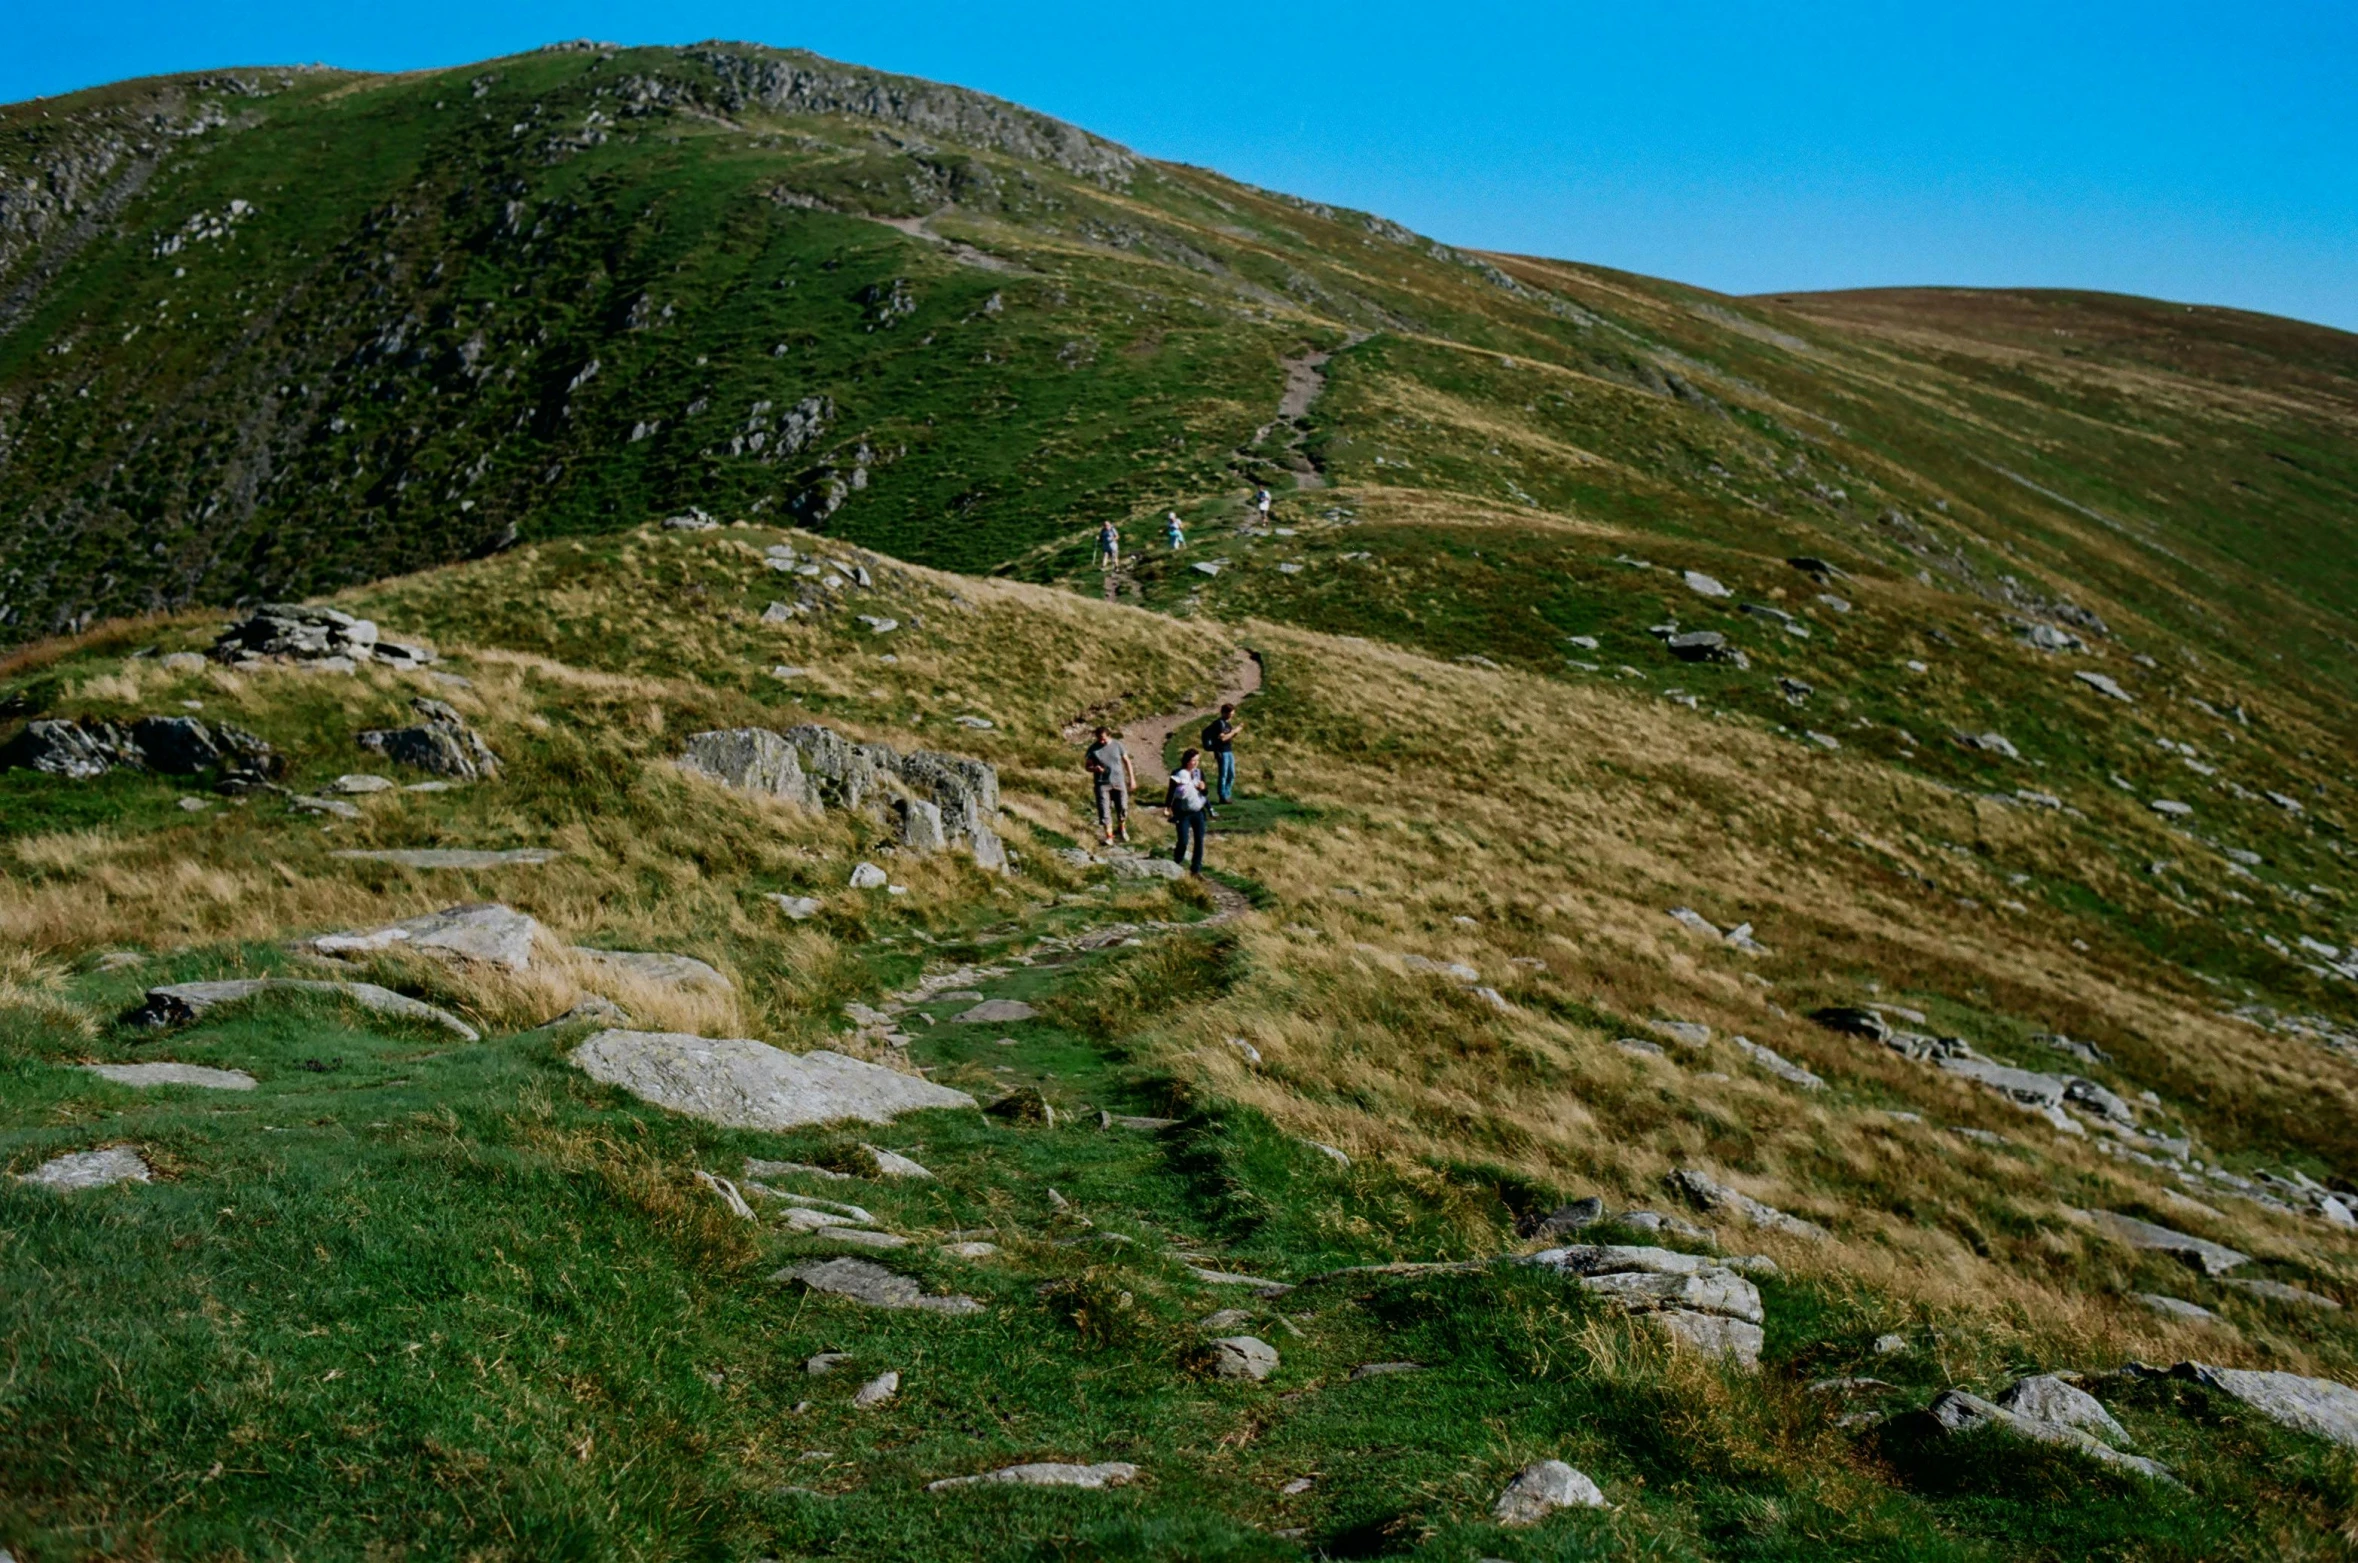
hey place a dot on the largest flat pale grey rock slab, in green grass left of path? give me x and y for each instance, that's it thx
(749, 1086)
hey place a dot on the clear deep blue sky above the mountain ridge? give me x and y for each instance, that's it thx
(2189, 152)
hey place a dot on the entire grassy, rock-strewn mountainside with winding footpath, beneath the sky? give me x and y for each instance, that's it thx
(1779, 972)
